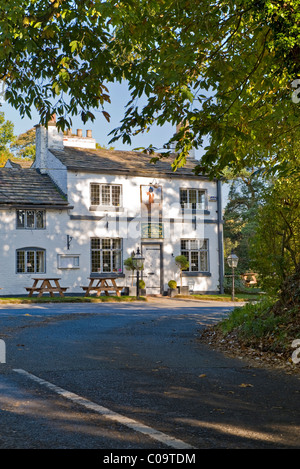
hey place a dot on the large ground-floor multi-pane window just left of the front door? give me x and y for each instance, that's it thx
(106, 255)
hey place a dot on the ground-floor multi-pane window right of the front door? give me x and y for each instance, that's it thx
(196, 251)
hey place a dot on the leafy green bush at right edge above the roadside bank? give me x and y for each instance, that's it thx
(275, 248)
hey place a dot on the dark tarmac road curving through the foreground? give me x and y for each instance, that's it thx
(135, 376)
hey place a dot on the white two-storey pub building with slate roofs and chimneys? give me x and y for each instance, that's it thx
(80, 212)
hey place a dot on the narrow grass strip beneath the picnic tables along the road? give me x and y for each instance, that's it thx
(69, 299)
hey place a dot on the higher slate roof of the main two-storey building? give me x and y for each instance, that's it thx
(121, 162)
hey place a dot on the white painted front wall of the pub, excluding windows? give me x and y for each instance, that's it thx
(59, 225)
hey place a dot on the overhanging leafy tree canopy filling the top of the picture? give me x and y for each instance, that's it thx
(228, 70)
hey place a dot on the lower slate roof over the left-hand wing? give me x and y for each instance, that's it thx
(24, 187)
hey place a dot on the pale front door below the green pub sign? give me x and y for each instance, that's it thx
(152, 268)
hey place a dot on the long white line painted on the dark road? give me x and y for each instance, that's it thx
(109, 414)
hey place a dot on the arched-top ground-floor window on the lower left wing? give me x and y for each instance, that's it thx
(31, 261)
